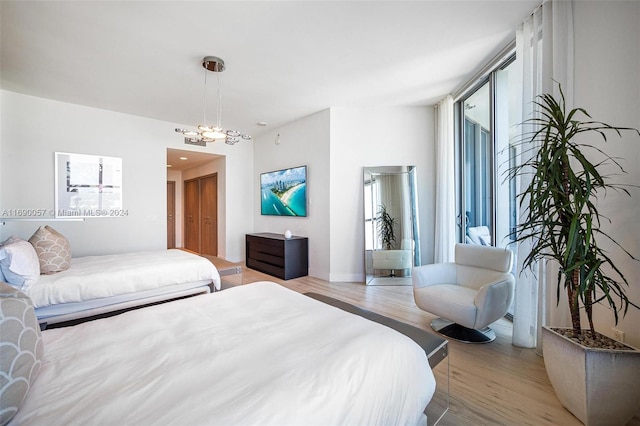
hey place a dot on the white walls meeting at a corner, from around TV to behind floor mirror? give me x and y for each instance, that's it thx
(336, 144)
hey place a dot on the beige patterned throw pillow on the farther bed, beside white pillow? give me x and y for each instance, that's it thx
(53, 249)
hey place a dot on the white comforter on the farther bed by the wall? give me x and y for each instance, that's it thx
(95, 277)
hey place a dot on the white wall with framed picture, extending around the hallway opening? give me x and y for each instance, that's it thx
(34, 128)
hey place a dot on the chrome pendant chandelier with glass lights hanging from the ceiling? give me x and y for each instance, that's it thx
(212, 133)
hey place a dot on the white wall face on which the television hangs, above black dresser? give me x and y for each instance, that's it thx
(303, 142)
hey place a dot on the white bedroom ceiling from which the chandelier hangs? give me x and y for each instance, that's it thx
(285, 59)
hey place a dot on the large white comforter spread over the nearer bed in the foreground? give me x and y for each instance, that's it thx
(255, 354)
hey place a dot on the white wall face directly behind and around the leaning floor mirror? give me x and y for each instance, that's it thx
(366, 137)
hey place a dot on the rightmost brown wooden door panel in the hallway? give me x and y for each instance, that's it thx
(209, 214)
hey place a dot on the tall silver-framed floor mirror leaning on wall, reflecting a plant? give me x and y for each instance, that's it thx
(392, 238)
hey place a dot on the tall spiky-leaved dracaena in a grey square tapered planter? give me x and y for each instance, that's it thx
(595, 377)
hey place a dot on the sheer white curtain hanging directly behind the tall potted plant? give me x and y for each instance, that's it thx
(544, 54)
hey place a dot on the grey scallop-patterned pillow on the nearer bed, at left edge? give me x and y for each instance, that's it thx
(21, 350)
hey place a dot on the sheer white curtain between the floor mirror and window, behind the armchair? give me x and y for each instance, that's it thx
(445, 232)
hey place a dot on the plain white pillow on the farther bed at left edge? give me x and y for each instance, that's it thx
(19, 263)
